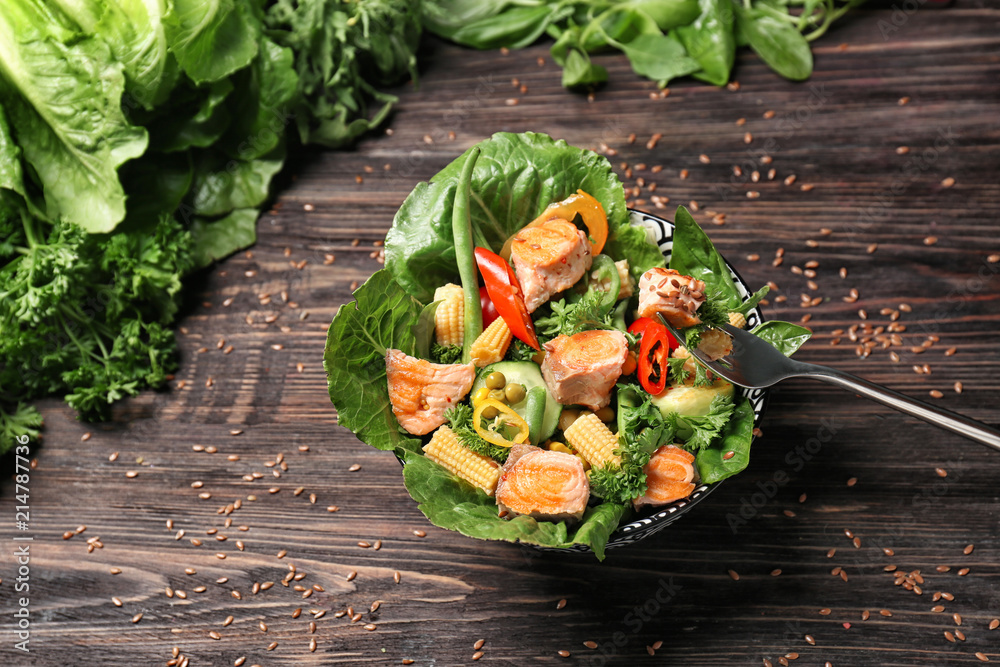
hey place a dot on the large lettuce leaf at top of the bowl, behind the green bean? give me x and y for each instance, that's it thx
(516, 177)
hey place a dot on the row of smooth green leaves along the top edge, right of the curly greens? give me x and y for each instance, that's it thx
(663, 39)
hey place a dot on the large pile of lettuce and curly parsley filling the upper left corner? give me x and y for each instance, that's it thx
(138, 140)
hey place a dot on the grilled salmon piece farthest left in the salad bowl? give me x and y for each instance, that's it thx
(420, 391)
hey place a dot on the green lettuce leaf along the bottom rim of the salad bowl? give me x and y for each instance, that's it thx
(456, 505)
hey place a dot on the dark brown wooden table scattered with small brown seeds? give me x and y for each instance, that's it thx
(250, 397)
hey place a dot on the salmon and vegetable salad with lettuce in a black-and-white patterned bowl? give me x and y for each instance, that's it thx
(512, 352)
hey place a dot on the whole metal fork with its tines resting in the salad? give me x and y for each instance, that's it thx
(754, 363)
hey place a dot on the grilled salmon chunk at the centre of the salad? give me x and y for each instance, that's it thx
(581, 369)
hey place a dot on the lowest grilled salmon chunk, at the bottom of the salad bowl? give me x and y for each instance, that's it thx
(543, 484)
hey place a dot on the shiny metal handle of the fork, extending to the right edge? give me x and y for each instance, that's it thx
(952, 421)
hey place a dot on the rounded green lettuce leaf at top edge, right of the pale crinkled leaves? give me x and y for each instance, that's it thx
(211, 39)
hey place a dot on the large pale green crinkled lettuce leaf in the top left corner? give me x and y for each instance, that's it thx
(63, 93)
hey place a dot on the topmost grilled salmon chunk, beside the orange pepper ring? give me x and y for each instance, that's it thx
(549, 258)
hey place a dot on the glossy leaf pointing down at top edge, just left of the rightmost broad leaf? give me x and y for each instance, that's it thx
(709, 40)
